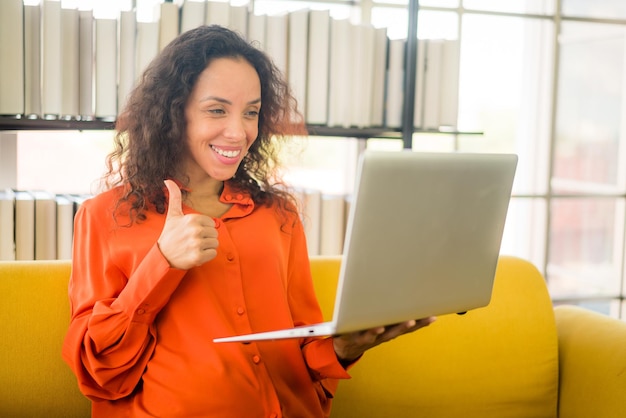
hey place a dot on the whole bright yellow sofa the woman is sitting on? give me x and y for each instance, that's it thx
(505, 360)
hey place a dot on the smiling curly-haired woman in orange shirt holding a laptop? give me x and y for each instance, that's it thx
(192, 241)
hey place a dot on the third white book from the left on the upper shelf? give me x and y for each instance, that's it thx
(52, 52)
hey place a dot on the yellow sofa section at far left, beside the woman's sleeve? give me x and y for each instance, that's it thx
(34, 316)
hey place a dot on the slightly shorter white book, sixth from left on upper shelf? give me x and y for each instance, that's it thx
(106, 68)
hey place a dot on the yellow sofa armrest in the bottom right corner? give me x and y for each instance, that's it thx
(592, 364)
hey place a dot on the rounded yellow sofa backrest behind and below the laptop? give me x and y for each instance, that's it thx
(498, 361)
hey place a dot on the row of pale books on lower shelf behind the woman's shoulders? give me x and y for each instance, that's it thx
(37, 225)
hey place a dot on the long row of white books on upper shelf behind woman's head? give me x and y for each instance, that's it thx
(58, 62)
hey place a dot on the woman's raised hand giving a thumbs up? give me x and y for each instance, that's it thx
(186, 241)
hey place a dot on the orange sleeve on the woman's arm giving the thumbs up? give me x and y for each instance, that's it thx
(112, 333)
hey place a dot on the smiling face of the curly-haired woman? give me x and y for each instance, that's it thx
(222, 115)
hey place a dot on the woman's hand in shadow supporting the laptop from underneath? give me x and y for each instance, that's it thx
(350, 347)
